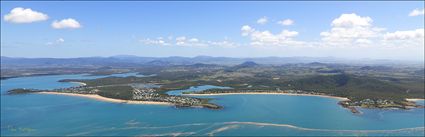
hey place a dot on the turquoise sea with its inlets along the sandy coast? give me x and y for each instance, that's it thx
(35, 114)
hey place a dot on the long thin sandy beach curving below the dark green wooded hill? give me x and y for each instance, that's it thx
(269, 93)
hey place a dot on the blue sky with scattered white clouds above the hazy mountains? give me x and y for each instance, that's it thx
(355, 30)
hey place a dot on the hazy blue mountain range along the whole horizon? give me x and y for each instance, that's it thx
(131, 61)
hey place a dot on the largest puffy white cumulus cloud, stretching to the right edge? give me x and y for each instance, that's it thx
(351, 30)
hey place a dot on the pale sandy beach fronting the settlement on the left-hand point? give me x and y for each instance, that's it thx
(100, 98)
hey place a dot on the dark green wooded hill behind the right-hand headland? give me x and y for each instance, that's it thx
(357, 87)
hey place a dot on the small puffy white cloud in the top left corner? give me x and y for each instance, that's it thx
(22, 15)
